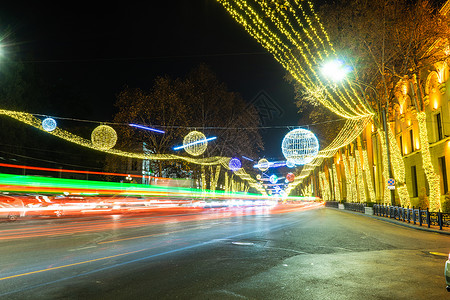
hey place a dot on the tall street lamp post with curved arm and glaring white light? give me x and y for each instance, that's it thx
(337, 71)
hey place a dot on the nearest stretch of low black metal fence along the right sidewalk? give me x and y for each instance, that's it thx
(413, 215)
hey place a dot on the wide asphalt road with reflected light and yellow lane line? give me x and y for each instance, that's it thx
(318, 253)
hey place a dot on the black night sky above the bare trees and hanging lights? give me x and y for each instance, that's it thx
(100, 49)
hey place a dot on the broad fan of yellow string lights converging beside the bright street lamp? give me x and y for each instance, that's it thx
(295, 36)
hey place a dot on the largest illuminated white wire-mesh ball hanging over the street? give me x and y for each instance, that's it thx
(300, 146)
